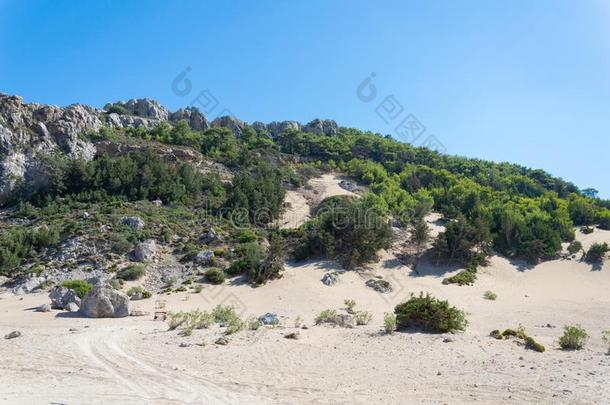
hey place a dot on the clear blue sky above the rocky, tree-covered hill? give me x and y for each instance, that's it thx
(520, 81)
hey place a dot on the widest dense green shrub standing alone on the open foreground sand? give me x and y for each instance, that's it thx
(429, 314)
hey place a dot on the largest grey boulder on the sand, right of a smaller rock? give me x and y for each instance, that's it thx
(103, 301)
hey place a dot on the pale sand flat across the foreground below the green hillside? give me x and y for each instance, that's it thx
(136, 360)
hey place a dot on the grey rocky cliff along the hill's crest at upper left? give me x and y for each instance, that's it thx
(30, 130)
